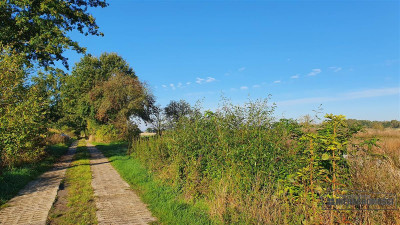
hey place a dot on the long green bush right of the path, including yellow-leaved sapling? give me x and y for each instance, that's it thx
(248, 166)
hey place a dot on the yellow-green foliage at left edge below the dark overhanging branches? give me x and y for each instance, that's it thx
(22, 113)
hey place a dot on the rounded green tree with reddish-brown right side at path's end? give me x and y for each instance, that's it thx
(104, 93)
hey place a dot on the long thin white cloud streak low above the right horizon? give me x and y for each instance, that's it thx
(370, 93)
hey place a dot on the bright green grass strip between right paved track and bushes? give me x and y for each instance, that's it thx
(163, 201)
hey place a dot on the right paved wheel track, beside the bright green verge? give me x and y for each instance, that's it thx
(115, 201)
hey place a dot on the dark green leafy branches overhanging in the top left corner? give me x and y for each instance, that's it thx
(38, 29)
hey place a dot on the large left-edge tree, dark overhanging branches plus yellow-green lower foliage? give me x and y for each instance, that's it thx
(35, 33)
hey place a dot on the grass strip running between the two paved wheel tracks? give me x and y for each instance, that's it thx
(75, 200)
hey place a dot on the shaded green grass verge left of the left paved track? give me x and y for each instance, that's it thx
(13, 180)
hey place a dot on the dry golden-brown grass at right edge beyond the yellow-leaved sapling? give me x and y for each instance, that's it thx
(376, 168)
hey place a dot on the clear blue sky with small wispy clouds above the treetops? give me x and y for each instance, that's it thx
(341, 54)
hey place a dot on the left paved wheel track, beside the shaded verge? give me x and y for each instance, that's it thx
(32, 204)
